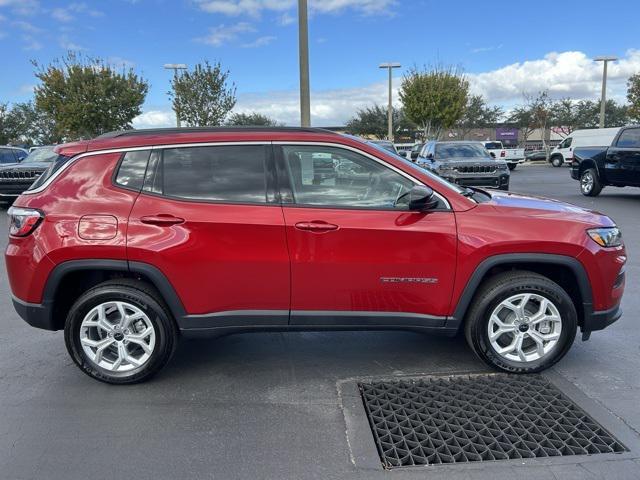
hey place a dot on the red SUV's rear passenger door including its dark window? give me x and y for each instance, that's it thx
(209, 220)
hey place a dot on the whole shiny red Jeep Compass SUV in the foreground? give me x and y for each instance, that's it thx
(136, 238)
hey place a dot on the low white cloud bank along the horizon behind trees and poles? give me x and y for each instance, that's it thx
(566, 74)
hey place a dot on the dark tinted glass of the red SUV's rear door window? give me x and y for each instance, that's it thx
(226, 174)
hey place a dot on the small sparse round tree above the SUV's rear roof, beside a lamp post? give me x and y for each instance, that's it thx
(203, 97)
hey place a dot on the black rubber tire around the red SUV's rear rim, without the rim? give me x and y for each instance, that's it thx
(140, 295)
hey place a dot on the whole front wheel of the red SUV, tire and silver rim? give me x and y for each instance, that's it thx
(521, 322)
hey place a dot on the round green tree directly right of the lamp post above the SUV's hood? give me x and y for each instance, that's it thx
(434, 99)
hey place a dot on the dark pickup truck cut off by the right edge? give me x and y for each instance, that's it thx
(617, 165)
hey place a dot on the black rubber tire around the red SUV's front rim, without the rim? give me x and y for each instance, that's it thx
(501, 287)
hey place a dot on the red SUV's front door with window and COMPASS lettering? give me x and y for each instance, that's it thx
(358, 255)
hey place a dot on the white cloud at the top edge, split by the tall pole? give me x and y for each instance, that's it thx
(255, 7)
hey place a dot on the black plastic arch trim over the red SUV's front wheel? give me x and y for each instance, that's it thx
(475, 281)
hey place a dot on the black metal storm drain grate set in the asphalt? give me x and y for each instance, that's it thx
(475, 418)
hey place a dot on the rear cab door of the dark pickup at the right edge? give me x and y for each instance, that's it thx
(623, 159)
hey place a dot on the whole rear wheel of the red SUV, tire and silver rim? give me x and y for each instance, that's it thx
(120, 332)
